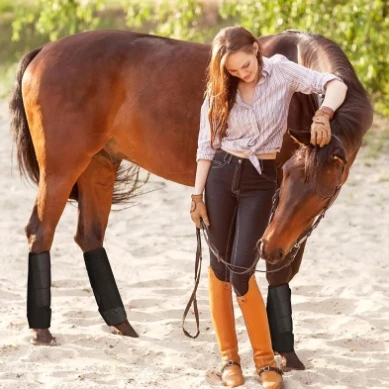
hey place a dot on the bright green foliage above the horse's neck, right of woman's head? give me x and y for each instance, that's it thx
(360, 27)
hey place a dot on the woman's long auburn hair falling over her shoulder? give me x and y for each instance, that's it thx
(221, 85)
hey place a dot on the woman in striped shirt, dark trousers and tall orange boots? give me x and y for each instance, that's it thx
(243, 120)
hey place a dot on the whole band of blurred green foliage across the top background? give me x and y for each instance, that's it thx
(360, 27)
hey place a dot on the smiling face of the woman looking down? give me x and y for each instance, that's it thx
(243, 65)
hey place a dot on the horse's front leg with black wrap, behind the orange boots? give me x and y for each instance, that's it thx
(279, 311)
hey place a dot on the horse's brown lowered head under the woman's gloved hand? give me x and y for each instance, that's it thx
(310, 182)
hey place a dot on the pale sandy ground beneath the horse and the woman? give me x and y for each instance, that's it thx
(340, 296)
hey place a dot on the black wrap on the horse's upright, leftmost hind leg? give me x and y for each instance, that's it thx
(38, 290)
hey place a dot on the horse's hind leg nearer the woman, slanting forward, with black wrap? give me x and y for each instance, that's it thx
(95, 189)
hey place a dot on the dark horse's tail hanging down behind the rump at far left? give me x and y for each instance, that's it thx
(28, 164)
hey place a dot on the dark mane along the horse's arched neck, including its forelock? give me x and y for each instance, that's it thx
(354, 117)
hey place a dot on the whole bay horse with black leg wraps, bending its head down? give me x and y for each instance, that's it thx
(87, 102)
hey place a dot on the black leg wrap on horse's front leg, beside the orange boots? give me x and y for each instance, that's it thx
(279, 312)
